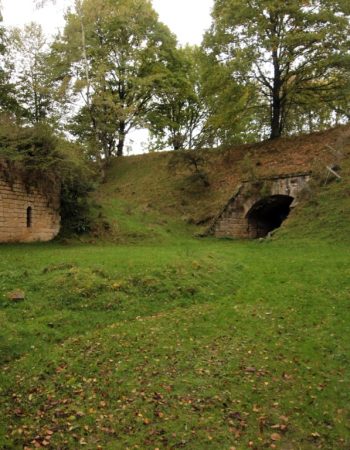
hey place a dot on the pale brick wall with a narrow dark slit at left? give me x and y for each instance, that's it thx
(18, 224)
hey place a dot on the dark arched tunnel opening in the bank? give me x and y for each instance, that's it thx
(268, 214)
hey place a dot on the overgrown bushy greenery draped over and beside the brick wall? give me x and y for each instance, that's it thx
(53, 165)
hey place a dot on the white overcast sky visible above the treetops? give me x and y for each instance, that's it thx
(186, 18)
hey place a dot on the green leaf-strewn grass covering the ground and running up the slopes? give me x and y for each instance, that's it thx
(179, 342)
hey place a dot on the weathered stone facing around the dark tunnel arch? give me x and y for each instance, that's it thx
(232, 221)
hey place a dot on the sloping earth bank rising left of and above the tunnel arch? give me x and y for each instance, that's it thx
(143, 198)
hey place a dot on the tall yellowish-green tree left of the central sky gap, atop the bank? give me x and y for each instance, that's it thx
(117, 52)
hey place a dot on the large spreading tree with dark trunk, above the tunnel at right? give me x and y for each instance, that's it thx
(290, 49)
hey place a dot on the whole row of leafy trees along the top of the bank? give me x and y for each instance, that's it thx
(265, 68)
